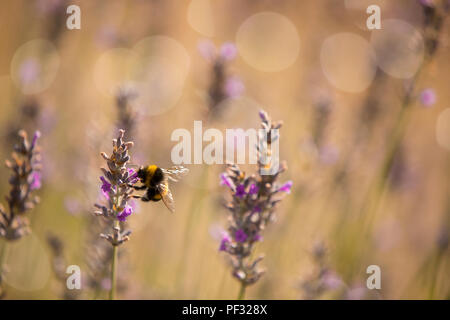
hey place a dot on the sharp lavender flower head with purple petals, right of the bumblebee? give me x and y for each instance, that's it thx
(252, 208)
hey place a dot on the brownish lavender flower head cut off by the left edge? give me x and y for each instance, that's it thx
(25, 179)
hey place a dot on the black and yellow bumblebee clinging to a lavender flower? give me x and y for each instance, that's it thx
(155, 181)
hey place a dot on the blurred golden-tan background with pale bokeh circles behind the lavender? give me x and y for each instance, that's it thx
(370, 180)
